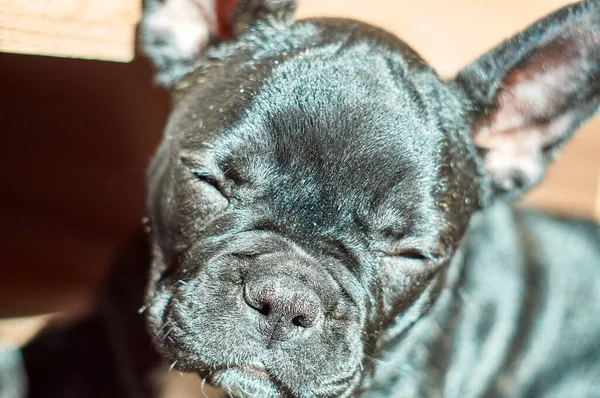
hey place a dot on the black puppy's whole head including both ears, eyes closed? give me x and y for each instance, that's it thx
(316, 178)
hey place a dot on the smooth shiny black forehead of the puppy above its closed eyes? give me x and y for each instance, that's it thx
(338, 132)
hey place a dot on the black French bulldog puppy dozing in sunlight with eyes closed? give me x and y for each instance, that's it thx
(328, 218)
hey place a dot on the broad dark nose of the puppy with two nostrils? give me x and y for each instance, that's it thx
(285, 307)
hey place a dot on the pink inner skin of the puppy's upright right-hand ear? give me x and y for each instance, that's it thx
(534, 109)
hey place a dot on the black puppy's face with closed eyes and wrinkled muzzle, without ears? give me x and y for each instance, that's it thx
(300, 218)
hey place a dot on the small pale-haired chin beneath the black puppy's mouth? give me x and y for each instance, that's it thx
(245, 382)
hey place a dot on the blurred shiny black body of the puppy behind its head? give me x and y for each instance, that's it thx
(509, 319)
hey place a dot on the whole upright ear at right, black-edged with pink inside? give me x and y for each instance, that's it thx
(531, 93)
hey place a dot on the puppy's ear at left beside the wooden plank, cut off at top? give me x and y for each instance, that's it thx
(175, 33)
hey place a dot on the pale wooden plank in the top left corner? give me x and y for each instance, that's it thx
(70, 28)
